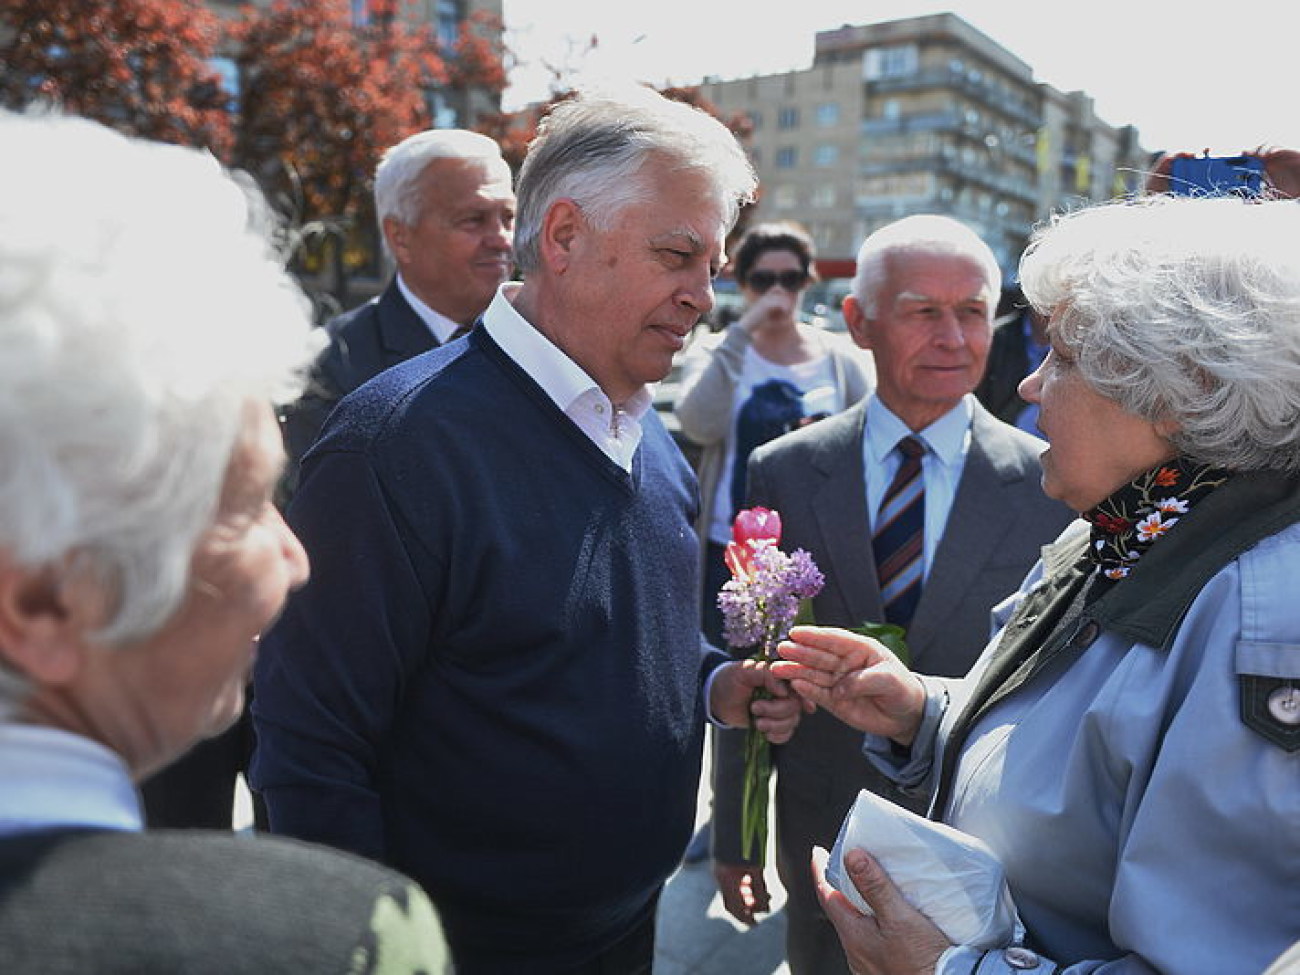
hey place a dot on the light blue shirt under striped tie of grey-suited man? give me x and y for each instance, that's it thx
(947, 441)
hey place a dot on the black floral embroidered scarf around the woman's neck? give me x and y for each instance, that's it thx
(1133, 519)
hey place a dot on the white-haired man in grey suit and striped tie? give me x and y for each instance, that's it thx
(921, 509)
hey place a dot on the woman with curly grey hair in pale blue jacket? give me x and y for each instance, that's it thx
(1128, 746)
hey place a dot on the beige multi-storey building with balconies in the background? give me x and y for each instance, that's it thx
(925, 115)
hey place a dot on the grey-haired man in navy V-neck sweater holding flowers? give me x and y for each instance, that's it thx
(495, 679)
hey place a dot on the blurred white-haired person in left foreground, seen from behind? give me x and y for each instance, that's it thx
(146, 330)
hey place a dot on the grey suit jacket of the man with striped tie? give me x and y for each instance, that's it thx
(814, 478)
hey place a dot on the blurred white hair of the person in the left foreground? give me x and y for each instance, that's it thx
(142, 309)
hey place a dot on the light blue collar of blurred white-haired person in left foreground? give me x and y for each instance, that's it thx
(58, 779)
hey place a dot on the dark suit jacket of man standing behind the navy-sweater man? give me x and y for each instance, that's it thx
(362, 344)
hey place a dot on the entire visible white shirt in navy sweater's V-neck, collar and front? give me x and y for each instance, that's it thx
(616, 430)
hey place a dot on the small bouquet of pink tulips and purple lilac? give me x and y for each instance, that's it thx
(760, 605)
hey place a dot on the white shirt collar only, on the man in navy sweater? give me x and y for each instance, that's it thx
(564, 380)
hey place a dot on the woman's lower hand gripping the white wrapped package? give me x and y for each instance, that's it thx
(899, 941)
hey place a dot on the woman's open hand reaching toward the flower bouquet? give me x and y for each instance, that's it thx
(855, 678)
